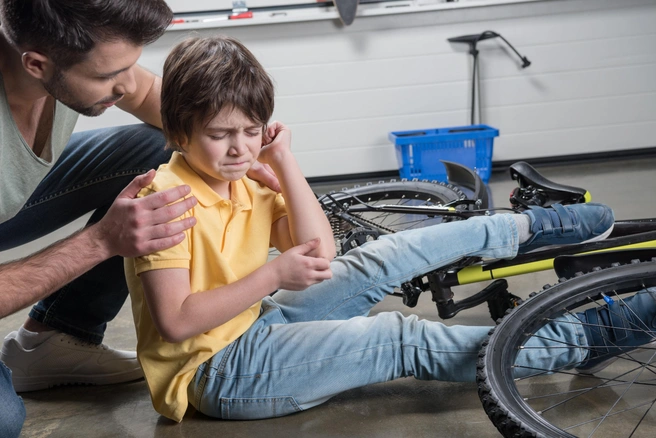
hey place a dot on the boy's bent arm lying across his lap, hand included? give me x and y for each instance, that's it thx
(178, 314)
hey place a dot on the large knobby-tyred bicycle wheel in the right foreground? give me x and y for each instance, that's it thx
(617, 401)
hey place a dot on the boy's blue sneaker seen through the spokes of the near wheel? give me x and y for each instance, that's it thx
(619, 327)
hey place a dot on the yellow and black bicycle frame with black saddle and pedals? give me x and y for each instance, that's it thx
(628, 236)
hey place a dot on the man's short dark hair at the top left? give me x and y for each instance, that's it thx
(67, 30)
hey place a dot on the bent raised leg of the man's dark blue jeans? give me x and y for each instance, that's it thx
(93, 169)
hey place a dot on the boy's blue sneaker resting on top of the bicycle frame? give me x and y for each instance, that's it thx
(566, 224)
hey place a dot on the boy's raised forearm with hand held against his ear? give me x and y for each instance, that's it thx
(305, 218)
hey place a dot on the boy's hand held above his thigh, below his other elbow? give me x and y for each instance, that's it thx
(298, 271)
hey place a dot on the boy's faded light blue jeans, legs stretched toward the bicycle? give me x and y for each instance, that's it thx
(309, 346)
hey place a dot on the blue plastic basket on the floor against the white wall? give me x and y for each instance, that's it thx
(419, 152)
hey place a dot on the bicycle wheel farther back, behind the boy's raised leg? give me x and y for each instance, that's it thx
(409, 193)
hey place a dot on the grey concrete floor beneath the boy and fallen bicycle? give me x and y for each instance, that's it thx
(405, 407)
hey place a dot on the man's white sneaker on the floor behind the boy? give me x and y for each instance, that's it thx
(62, 359)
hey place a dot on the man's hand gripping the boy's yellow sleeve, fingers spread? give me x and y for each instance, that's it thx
(138, 226)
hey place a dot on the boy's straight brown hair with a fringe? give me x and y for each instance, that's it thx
(202, 76)
